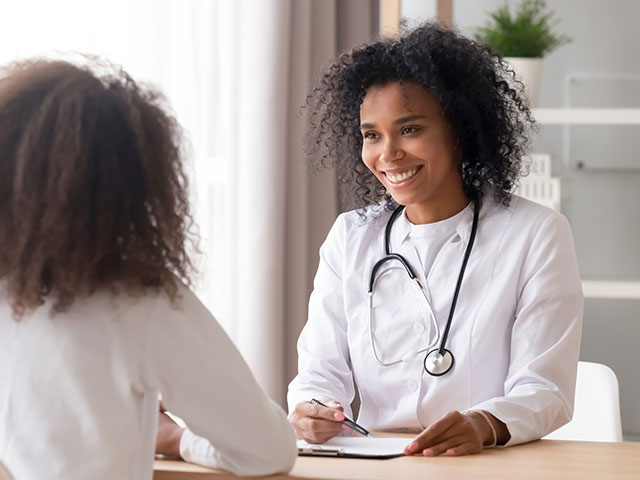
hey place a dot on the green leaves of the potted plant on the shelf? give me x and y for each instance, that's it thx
(527, 34)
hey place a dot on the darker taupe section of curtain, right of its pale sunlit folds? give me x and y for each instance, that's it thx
(320, 30)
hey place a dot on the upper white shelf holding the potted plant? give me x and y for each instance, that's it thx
(587, 116)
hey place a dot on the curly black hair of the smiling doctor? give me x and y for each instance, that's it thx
(485, 107)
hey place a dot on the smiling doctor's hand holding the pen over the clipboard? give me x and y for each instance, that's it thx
(317, 424)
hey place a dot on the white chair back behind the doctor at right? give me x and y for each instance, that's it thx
(596, 414)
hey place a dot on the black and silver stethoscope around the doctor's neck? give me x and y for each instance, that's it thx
(438, 361)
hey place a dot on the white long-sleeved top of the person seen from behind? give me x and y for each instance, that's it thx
(79, 391)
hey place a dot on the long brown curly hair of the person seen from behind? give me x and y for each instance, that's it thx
(93, 191)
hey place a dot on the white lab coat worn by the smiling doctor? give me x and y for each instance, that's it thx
(515, 334)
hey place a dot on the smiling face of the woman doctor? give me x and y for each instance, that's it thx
(407, 144)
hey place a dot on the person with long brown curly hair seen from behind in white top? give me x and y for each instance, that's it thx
(96, 315)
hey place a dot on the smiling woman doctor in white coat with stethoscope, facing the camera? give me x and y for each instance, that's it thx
(454, 306)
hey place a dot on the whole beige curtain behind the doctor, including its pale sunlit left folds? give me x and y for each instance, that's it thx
(282, 214)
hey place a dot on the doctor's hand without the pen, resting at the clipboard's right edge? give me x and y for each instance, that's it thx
(458, 434)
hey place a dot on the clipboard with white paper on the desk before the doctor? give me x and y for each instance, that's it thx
(355, 447)
